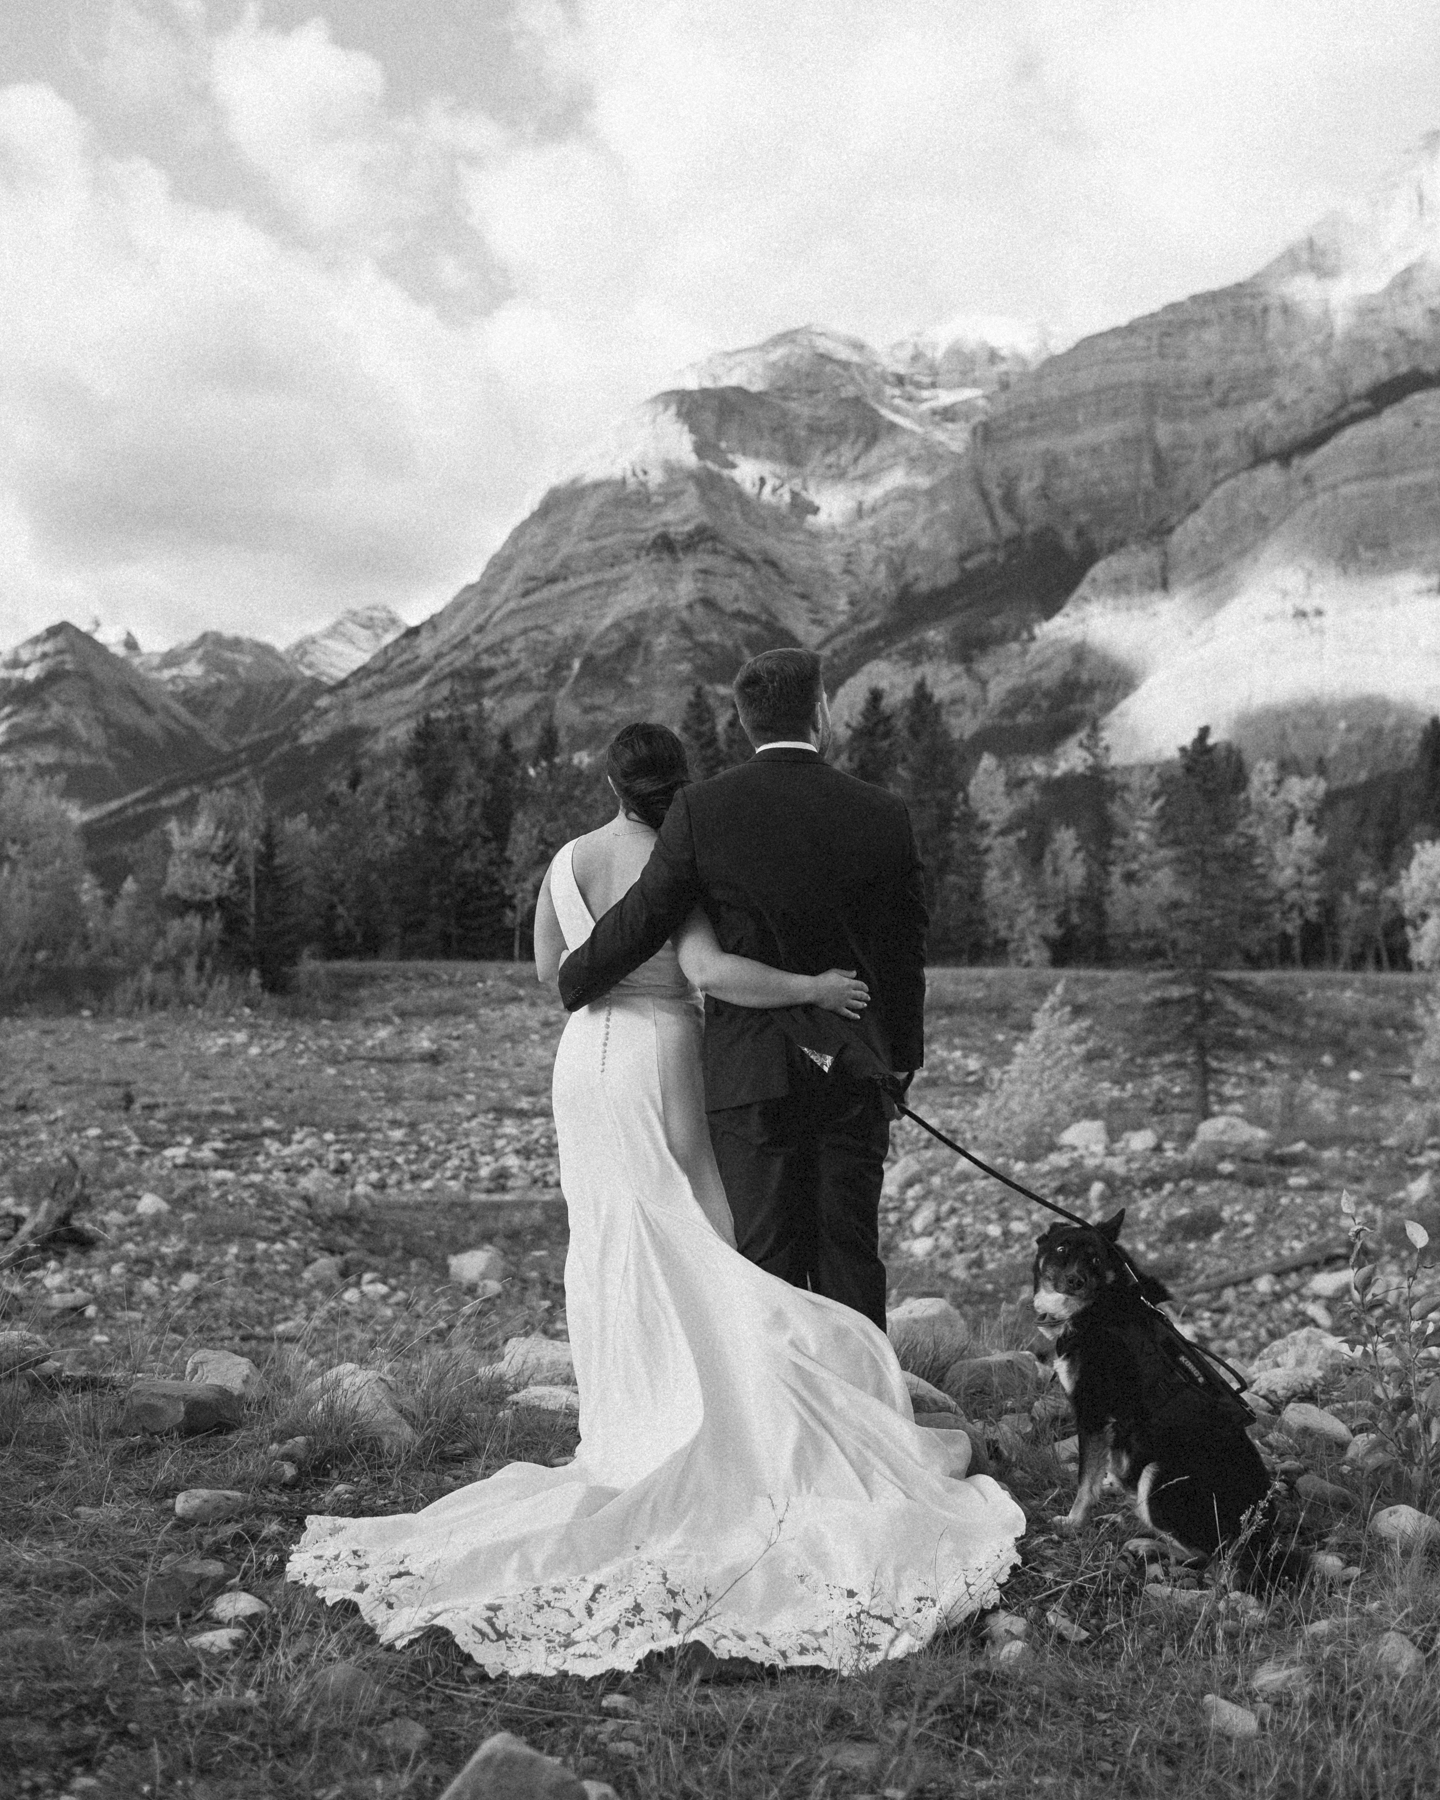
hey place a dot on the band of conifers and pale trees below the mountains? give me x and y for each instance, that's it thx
(436, 849)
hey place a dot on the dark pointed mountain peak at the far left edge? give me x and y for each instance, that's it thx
(75, 710)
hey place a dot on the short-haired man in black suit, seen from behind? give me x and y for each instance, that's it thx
(802, 868)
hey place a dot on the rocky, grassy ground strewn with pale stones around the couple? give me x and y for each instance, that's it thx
(300, 1189)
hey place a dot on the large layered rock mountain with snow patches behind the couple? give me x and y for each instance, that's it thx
(1227, 514)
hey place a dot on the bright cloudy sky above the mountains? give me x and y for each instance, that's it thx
(303, 303)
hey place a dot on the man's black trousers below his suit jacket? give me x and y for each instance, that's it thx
(804, 1180)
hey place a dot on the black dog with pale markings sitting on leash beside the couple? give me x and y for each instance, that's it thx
(1176, 1446)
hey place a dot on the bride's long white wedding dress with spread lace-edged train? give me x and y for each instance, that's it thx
(750, 1470)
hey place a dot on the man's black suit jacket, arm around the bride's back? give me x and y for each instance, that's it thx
(798, 867)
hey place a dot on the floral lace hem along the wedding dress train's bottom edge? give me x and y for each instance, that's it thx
(595, 1623)
